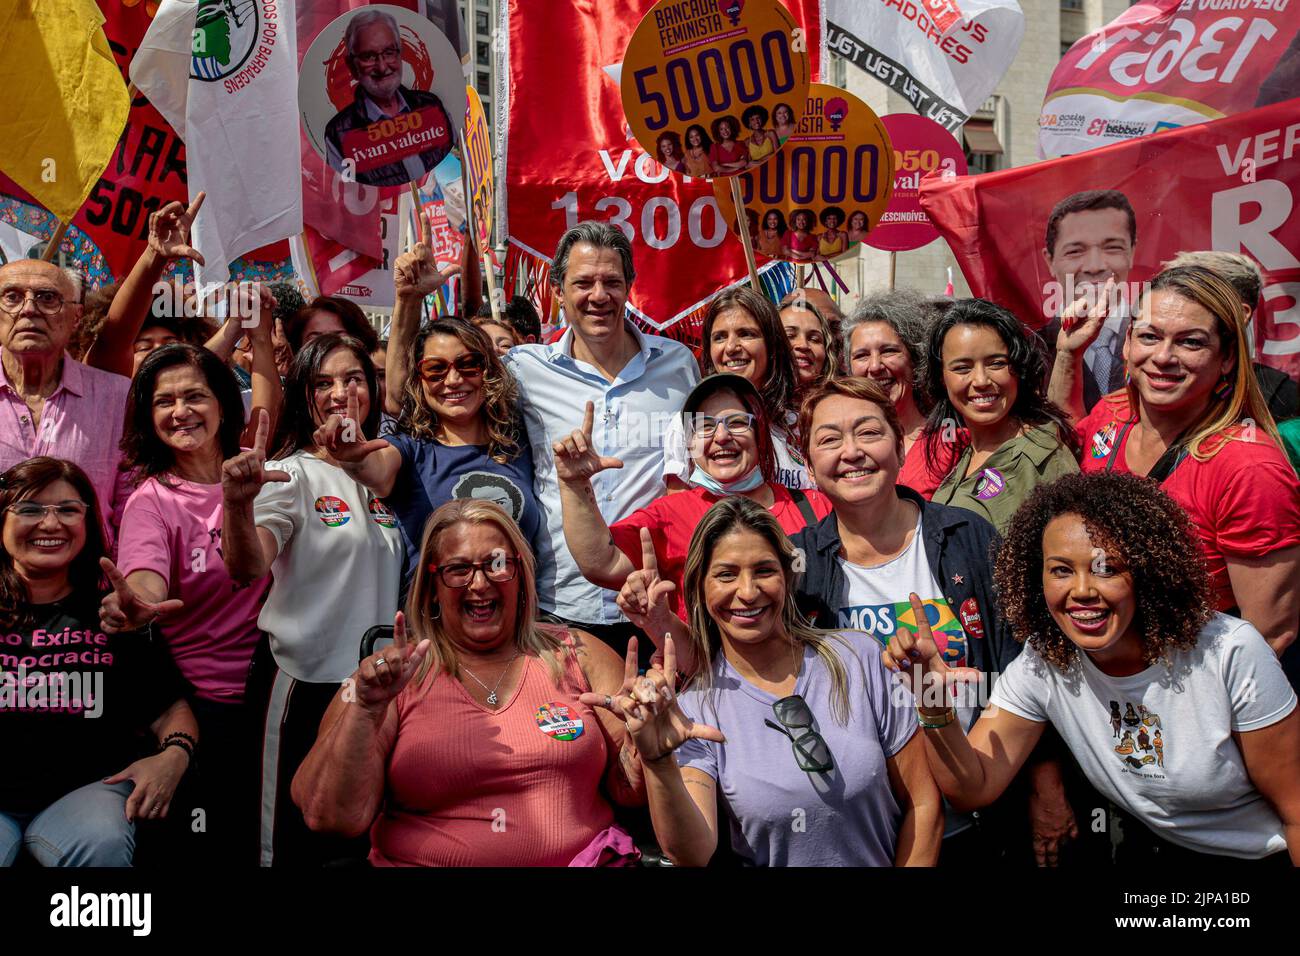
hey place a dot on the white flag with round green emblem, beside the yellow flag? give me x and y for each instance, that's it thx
(226, 76)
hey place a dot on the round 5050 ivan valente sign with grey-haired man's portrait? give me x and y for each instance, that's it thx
(382, 94)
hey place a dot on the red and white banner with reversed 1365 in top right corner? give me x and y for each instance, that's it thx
(1167, 64)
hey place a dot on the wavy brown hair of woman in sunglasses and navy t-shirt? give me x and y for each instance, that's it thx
(501, 395)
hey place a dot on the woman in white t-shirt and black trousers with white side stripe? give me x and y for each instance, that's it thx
(336, 556)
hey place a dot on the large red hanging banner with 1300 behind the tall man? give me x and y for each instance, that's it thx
(571, 157)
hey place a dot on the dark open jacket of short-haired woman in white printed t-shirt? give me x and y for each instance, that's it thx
(960, 552)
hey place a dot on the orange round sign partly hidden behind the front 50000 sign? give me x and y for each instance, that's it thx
(826, 189)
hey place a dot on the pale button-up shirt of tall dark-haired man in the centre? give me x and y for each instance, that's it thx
(632, 414)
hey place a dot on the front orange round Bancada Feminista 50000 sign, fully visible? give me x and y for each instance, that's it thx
(713, 88)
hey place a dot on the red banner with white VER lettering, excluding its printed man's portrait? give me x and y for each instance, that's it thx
(1232, 185)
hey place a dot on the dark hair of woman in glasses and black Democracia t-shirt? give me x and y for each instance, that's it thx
(27, 481)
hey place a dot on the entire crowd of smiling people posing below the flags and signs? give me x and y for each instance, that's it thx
(891, 589)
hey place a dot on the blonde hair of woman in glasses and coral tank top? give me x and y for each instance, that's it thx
(530, 637)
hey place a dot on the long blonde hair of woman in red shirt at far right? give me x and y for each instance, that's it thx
(1212, 431)
